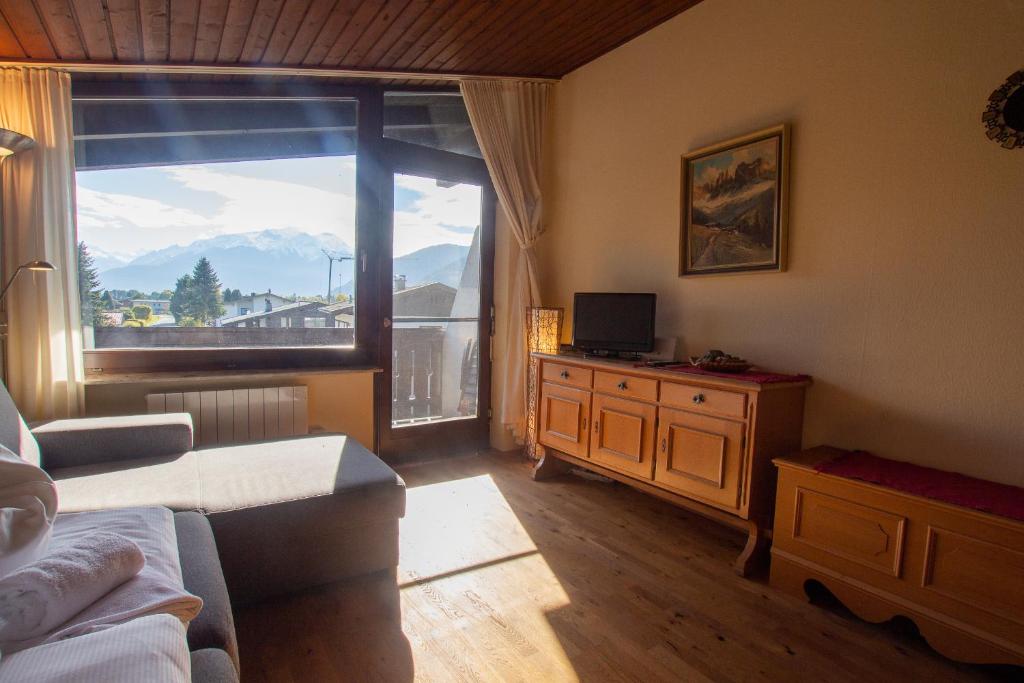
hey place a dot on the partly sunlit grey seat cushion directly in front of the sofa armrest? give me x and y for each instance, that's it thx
(172, 482)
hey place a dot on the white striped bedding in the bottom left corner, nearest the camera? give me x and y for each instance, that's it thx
(151, 650)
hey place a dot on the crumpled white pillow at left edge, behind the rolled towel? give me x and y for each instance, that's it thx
(28, 506)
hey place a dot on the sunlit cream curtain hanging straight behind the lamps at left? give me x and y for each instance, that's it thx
(45, 348)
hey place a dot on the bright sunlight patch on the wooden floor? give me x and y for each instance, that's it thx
(475, 581)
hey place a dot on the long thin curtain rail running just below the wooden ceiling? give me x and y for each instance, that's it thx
(257, 70)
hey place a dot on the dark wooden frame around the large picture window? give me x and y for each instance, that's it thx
(371, 182)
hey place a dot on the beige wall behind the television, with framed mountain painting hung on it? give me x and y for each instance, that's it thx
(905, 295)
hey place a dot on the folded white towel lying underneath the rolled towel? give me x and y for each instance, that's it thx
(158, 588)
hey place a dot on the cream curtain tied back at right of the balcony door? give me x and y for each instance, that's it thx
(508, 120)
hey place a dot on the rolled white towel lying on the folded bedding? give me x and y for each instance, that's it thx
(41, 596)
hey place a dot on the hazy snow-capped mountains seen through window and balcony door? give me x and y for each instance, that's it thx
(283, 262)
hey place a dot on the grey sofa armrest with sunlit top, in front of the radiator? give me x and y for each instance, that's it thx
(92, 441)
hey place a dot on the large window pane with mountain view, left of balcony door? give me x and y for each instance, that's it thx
(217, 222)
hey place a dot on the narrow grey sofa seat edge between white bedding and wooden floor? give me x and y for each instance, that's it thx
(202, 575)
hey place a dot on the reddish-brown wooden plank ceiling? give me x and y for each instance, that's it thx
(542, 38)
